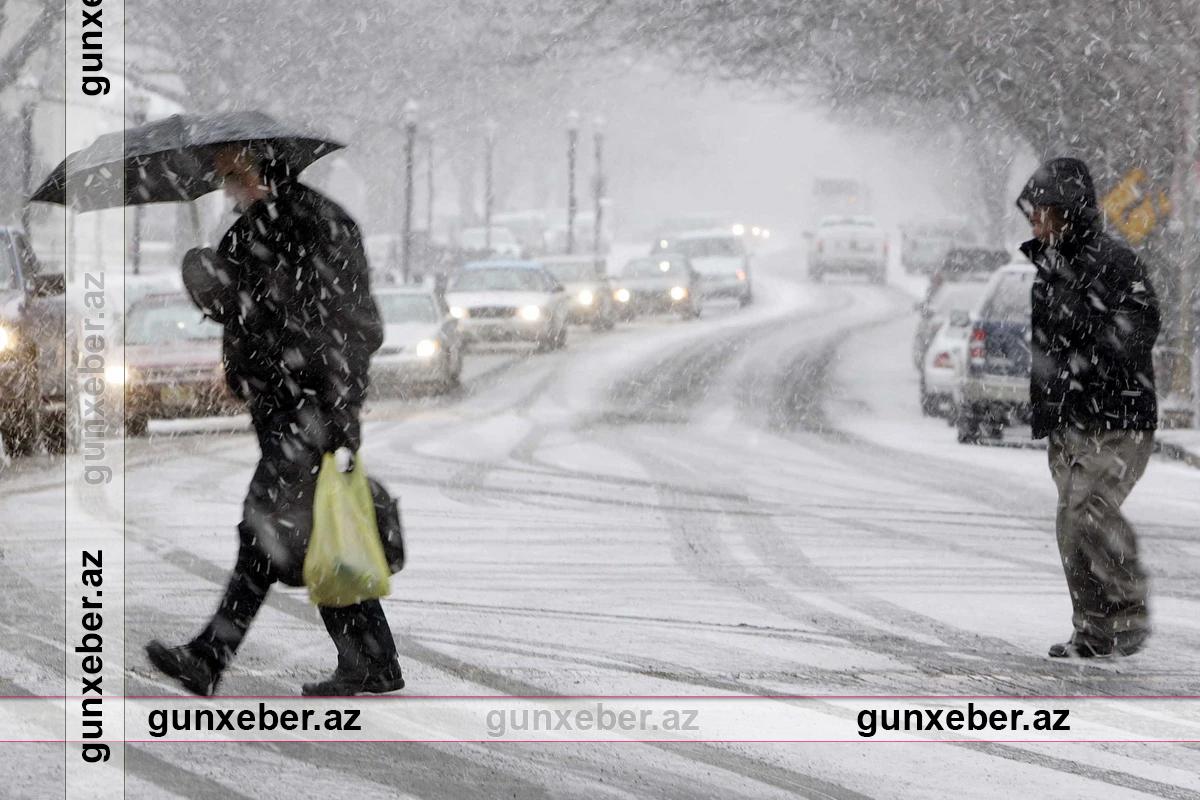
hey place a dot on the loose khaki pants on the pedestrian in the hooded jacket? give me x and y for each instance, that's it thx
(1095, 474)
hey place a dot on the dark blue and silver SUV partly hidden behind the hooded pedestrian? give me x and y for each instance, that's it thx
(995, 389)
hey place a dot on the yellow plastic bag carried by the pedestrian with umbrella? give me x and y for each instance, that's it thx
(345, 563)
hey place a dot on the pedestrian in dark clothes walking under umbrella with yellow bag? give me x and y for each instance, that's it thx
(290, 286)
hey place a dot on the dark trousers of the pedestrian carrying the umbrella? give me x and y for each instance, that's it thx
(274, 538)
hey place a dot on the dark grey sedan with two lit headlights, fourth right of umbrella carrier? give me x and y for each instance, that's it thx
(659, 284)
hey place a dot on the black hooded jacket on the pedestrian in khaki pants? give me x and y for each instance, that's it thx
(1095, 316)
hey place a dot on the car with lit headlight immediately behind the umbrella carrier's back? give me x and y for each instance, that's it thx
(422, 345)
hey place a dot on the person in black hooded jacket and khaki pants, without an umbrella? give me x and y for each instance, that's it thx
(1095, 320)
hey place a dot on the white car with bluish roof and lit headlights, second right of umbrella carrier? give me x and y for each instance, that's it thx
(509, 300)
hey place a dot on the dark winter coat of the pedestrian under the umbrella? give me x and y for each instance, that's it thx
(290, 284)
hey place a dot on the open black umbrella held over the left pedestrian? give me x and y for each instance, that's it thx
(171, 160)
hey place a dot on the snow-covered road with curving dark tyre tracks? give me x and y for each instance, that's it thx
(746, 504)
